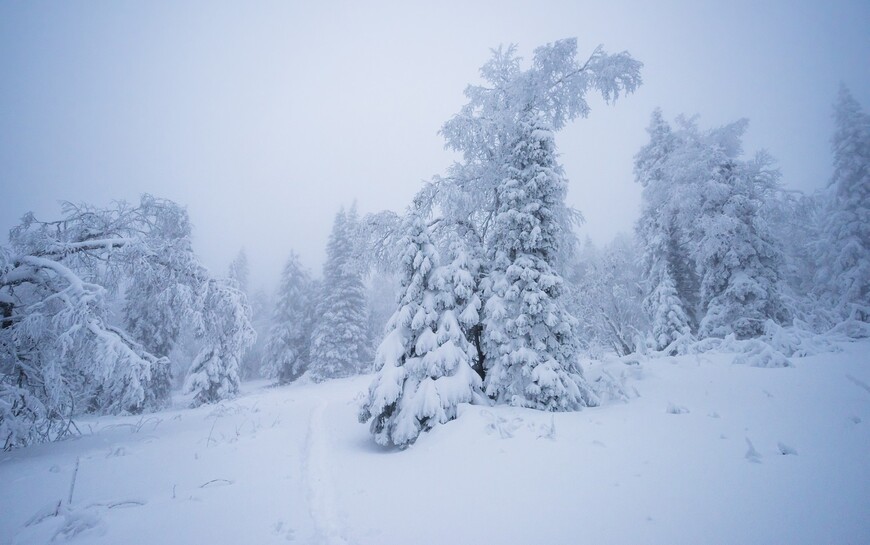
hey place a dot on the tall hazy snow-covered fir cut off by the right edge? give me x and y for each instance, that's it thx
(843, 277)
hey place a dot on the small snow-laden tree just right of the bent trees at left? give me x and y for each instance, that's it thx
(225, 332)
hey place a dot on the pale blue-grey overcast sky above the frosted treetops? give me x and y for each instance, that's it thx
(263, 118)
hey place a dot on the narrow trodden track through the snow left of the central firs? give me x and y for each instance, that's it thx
(320, 488)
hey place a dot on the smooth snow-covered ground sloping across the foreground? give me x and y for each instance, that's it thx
(704, 452)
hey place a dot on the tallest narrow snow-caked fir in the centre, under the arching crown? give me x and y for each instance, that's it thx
(530, 339)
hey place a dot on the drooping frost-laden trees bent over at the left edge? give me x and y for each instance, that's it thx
(61, 352)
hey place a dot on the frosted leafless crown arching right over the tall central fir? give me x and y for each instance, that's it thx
(551, 91)
